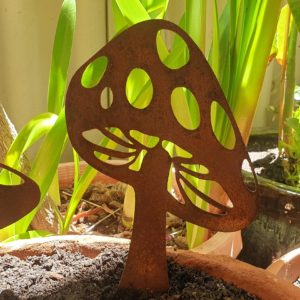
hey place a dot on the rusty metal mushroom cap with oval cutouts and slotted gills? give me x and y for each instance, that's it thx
(136, 48)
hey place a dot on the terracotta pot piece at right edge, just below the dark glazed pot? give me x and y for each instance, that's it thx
(288, 266)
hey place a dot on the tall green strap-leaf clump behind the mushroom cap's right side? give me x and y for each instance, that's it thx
(240, 73)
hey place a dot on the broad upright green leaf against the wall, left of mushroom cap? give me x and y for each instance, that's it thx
(61, 54)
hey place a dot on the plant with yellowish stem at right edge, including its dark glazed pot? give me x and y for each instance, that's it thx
(276, 229)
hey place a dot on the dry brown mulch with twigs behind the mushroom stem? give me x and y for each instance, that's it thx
(100, 212)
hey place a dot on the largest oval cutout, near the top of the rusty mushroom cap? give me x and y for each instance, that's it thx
(172, 49)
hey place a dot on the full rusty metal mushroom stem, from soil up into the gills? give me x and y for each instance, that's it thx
(146, 266)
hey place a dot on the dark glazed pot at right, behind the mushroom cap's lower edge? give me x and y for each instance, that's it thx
(276, 229)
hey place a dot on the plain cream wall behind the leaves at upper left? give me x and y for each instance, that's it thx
(27, 29)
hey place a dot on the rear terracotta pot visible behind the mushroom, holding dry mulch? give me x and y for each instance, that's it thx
(222, 243)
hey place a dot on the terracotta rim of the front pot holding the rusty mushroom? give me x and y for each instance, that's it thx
(256, 281)
